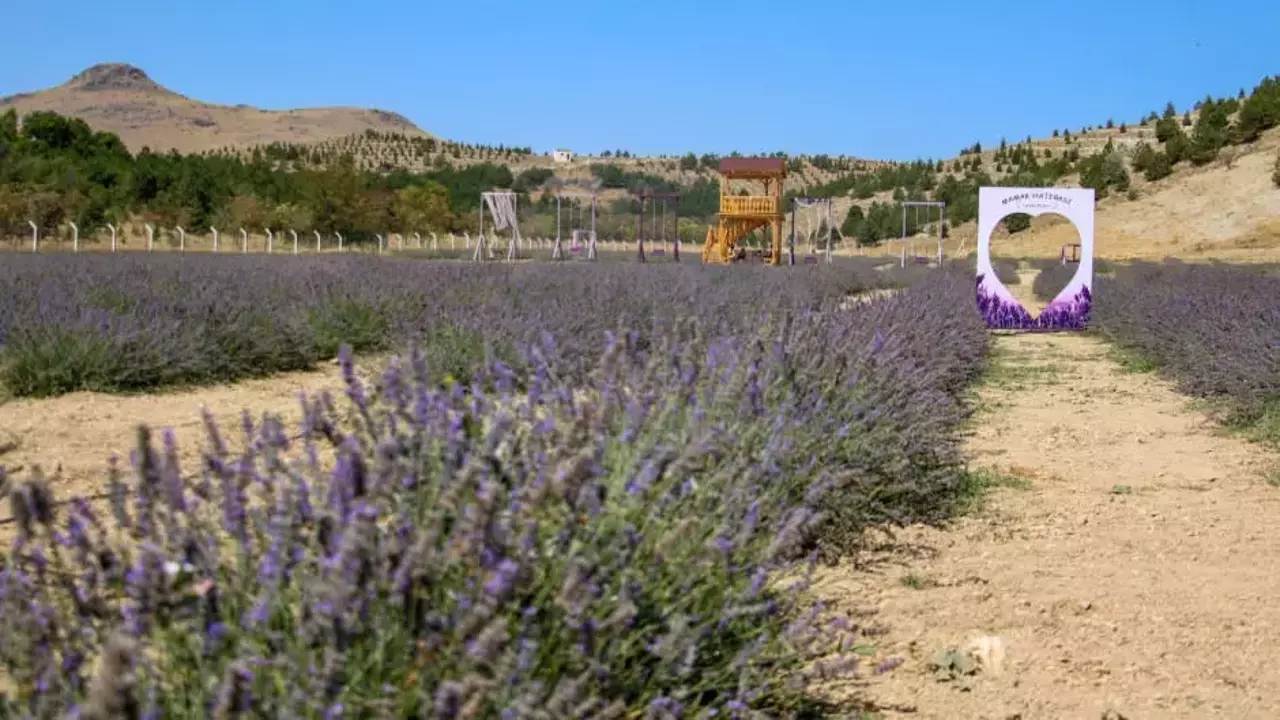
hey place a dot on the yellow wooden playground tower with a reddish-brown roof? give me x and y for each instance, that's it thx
(742, 215)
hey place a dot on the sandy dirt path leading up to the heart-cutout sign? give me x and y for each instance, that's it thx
(1124, 559)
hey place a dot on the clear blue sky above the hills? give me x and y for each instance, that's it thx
(877, 80)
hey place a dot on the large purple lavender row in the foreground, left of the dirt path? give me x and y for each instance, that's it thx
(618, 526)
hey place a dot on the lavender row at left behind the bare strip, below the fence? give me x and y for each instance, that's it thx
(135, 322)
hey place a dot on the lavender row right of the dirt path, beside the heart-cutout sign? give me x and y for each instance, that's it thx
(1215, 331)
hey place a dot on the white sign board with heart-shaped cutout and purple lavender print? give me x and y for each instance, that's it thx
(1071, 308)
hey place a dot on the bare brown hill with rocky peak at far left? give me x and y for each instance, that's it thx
(125, 101)
